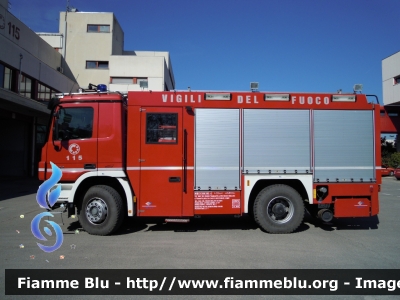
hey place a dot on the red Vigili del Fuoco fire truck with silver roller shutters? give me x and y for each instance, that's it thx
(180, 155)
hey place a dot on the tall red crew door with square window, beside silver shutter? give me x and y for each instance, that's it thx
(161, 162)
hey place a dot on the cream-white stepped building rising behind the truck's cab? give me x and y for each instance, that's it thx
(94, 51)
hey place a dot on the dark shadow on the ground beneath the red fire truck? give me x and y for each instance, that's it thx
(209, 223)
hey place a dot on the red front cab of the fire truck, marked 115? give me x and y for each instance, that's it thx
(86, 141)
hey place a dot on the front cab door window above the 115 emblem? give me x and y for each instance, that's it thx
(75, 123)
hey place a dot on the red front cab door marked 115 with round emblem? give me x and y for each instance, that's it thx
(73, 148)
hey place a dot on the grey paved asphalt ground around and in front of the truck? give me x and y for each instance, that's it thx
(207, 243)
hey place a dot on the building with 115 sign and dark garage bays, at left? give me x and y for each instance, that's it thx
(29, 76)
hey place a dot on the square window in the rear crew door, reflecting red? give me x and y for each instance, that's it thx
(161, 128)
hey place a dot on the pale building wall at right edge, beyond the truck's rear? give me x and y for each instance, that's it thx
(390, 70)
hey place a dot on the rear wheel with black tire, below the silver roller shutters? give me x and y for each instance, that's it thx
(279, 209)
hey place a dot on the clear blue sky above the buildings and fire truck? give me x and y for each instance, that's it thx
(285, 45)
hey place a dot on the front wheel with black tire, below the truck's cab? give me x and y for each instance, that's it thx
(101, 212)
